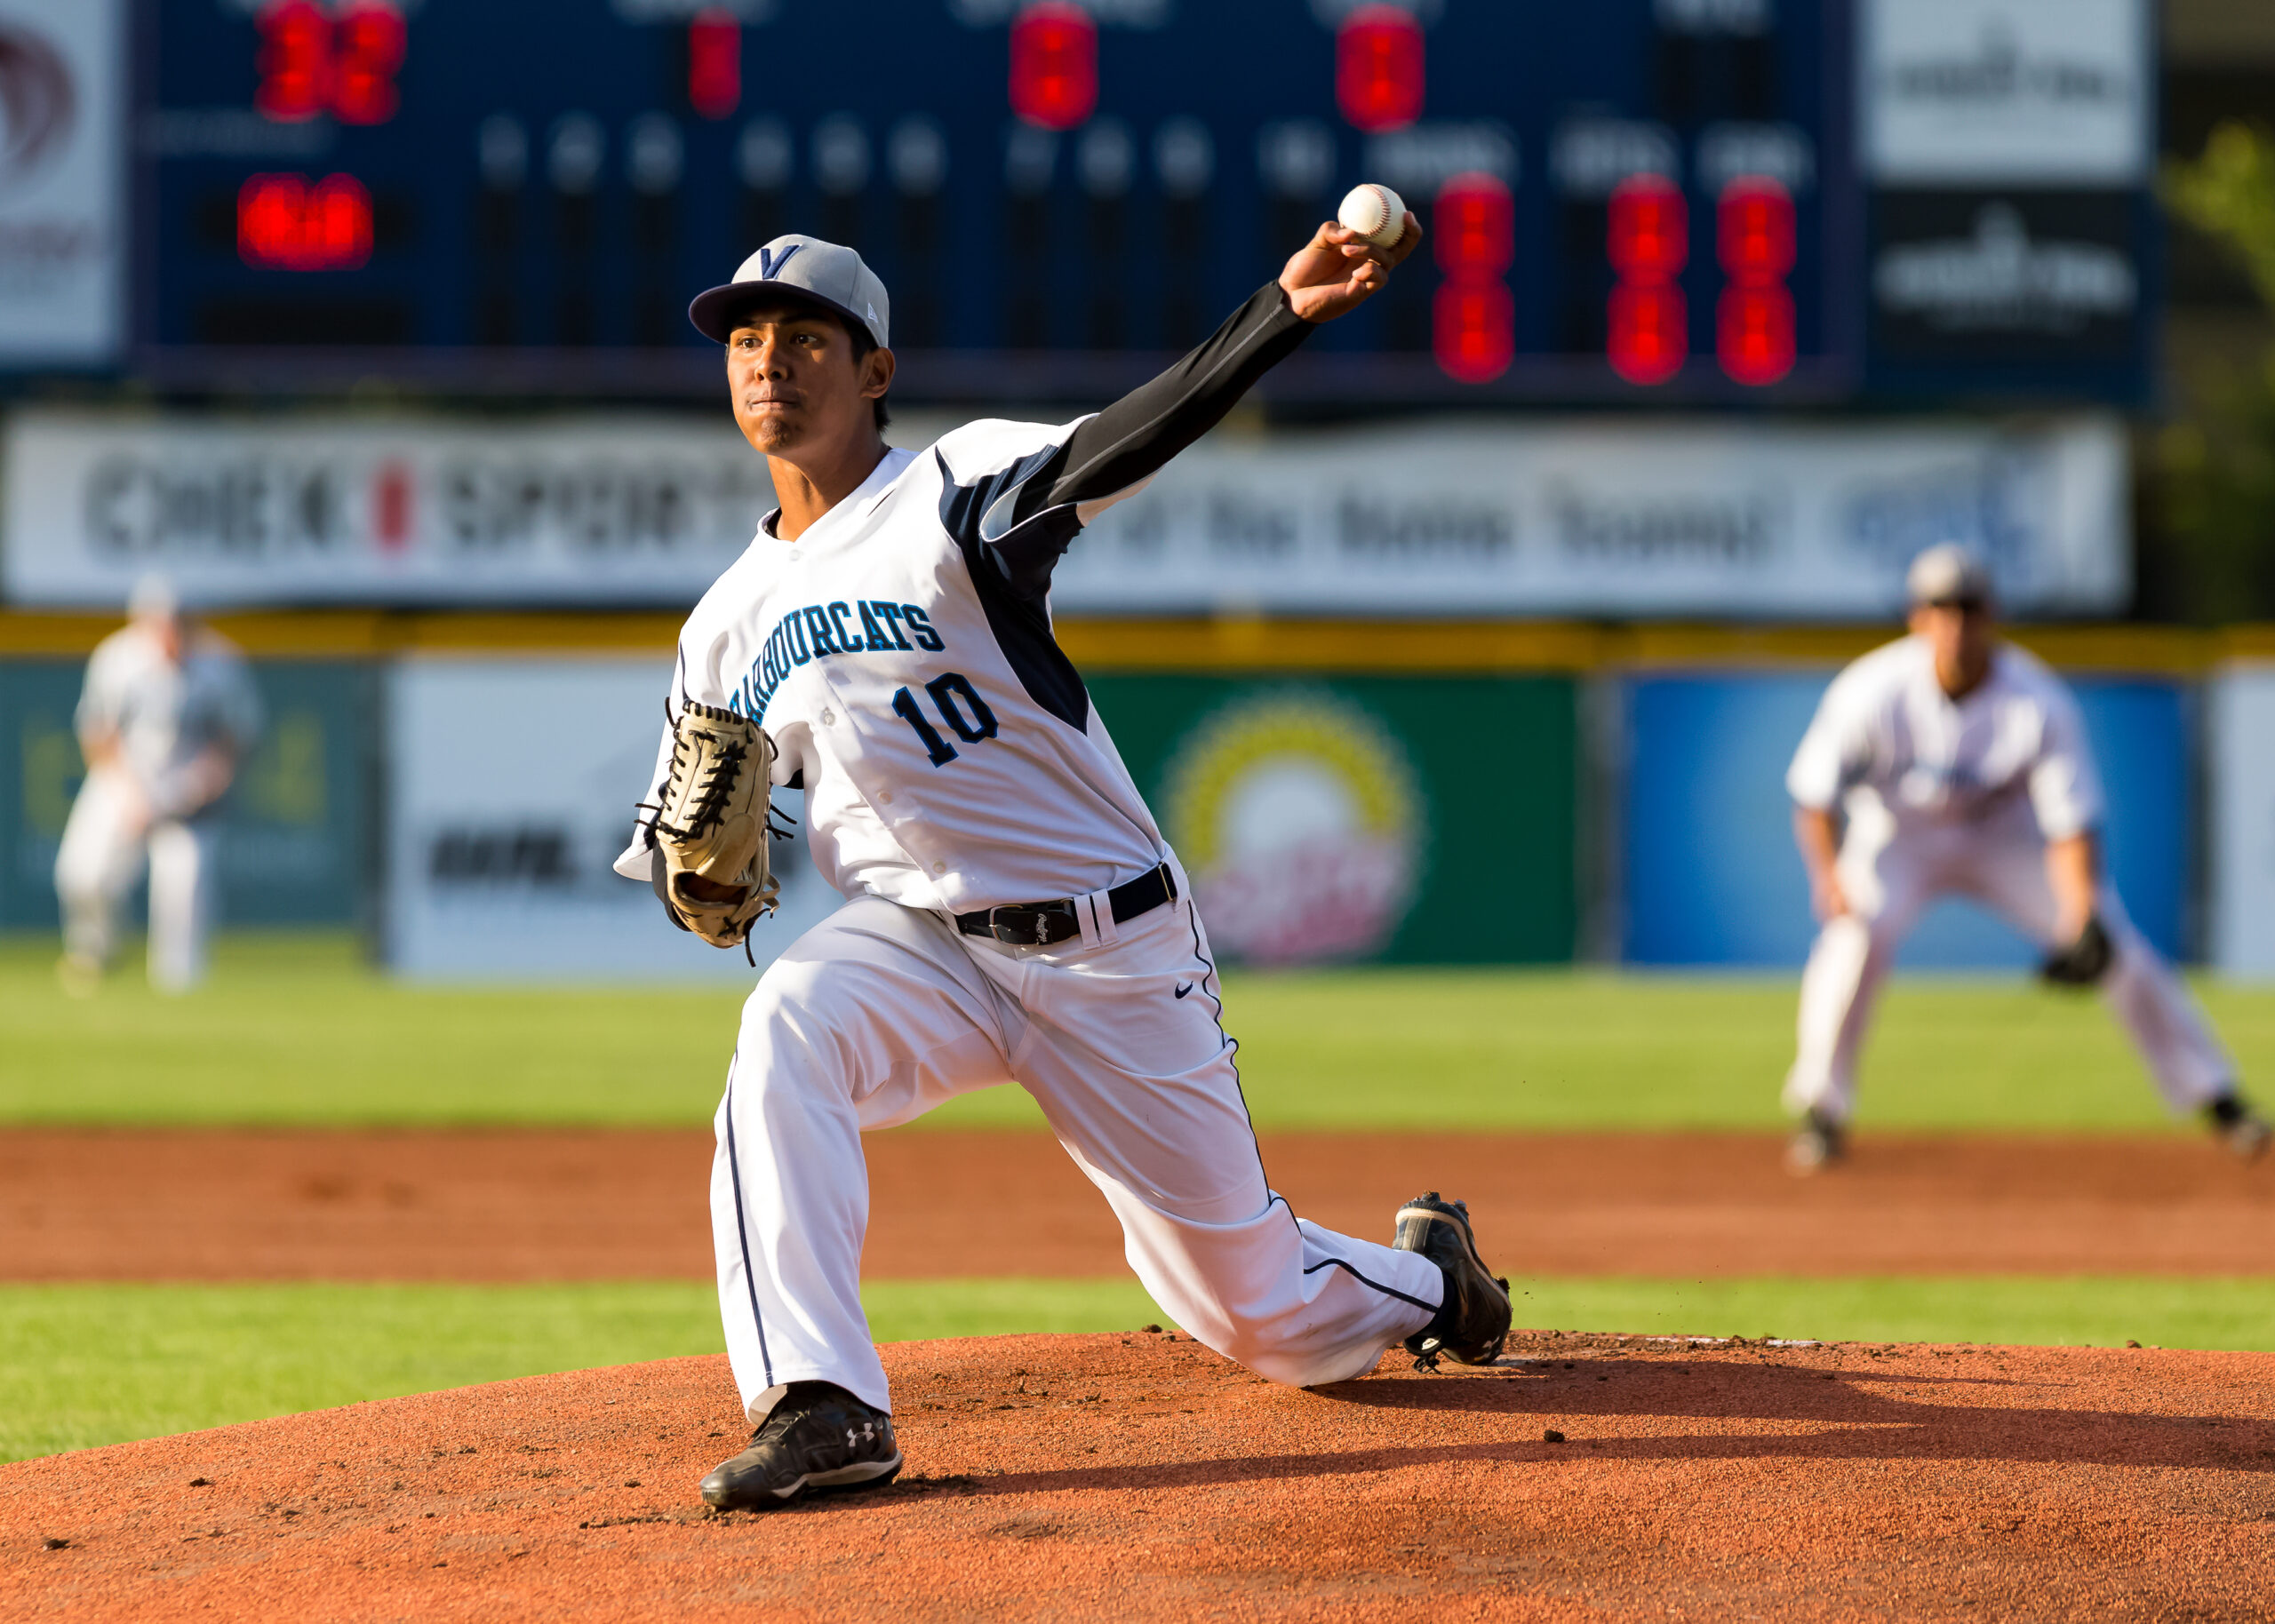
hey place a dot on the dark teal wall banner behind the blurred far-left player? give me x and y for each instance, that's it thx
(295, 829)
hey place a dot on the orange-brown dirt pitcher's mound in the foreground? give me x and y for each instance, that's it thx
(1145, 1477)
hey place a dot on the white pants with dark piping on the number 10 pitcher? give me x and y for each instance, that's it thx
(882, 1013)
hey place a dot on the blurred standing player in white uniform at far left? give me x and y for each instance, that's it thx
(167, 715)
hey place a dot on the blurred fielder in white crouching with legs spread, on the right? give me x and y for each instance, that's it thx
(1962, 768)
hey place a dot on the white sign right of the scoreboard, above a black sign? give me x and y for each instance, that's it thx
(1962, 92)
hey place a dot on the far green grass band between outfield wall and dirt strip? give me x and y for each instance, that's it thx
(299, 1031)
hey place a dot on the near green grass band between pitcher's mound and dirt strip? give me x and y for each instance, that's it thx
(92, 1366)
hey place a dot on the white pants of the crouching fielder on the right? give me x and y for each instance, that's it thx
(1892, 872)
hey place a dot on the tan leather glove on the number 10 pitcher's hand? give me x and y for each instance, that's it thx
(711, 829)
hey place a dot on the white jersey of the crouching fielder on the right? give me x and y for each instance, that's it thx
(1887, 734)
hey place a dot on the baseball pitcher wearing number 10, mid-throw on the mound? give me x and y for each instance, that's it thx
(1014, 911)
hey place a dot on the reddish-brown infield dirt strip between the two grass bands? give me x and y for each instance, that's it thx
(568, 1204)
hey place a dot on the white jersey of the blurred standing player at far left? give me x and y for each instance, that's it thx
(167, 713)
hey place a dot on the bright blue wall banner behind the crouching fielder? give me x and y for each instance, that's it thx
(1710, 868)
